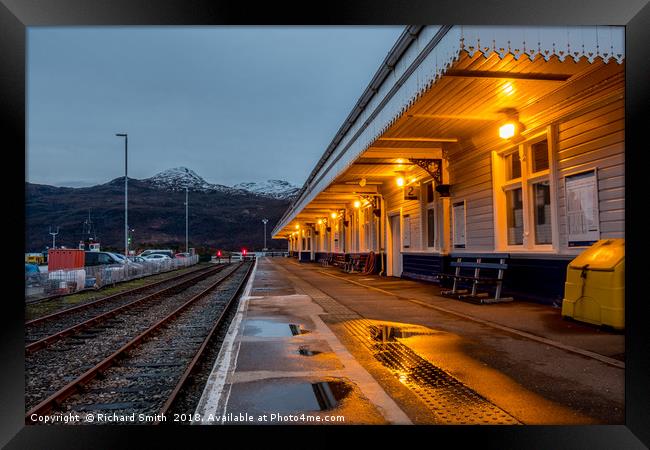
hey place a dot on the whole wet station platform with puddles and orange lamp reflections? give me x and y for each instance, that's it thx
(310, 344)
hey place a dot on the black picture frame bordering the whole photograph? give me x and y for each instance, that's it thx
(16, 15)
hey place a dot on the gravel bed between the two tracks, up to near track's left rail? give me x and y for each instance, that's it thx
(70, 357)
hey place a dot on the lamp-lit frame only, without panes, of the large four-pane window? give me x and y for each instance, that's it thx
(526, 181)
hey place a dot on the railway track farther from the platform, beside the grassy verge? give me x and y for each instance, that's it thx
(47, 329)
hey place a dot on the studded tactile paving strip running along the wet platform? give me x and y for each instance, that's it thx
(451, 402)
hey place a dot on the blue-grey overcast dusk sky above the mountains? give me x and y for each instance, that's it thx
(234, 104)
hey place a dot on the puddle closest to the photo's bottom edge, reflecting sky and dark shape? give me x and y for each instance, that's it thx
(288, 398)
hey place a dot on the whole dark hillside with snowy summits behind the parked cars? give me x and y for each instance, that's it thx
(220, 217)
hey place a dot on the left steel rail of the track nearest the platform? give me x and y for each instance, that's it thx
(75, 385)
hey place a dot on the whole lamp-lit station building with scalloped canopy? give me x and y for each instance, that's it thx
(475, 140)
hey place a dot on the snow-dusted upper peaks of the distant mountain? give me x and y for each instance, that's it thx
(178, 178)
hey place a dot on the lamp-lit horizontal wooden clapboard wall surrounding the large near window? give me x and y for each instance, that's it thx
(588, 120)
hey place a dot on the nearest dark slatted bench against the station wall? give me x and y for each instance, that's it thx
(475, 262)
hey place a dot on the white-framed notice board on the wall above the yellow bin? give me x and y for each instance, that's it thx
(583, 217)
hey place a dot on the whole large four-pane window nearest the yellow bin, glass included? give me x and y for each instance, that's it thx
(523, 200)
